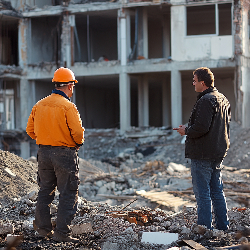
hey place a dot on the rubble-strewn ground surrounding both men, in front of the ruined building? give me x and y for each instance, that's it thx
(116, 172)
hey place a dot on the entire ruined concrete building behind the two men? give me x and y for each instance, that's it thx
(133, 60)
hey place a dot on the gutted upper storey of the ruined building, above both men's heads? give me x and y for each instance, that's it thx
(45, 33)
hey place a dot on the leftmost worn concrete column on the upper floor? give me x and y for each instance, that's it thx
(23, 31)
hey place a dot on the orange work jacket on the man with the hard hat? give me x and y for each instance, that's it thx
(55, 121)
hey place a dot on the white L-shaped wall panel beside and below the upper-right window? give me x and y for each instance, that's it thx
(188, 48)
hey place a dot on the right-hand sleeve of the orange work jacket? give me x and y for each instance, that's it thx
(74, 123)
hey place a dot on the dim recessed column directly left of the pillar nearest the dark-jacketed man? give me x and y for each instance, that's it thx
(166, 110)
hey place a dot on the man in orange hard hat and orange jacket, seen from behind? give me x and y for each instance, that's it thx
(56, 126)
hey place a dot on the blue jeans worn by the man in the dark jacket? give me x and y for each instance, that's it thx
(208, 190)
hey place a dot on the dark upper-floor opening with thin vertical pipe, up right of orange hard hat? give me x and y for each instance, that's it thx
(96, 37)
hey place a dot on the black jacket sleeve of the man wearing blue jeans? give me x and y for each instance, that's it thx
(203, 118)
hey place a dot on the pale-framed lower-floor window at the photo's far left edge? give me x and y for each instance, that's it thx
(7, 117)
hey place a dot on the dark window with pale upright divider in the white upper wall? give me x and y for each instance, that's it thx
(201, 20)
